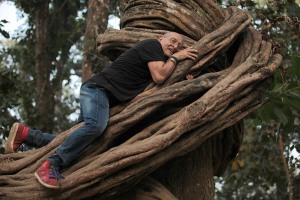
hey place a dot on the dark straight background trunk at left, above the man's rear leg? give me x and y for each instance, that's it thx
(43, 88)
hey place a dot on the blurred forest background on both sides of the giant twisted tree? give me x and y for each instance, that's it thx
(268, 164)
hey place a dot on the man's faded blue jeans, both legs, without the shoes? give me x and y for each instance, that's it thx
(94, 111)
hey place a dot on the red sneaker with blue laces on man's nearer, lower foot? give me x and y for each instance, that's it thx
(48, 175)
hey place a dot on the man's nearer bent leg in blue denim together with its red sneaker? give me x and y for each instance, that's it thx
(95, 111)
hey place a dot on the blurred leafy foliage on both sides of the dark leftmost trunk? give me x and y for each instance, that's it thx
(67, 23)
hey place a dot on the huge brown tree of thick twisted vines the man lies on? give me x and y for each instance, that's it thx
(180, 133)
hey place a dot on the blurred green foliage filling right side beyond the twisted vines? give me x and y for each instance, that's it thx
(258, 171)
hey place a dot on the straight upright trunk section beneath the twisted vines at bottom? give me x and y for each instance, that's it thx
(185, 176)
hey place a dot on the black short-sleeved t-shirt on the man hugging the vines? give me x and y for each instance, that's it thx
(129, 74)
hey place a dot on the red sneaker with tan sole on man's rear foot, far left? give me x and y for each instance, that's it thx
(17, 136)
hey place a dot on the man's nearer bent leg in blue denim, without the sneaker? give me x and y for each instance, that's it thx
(95, 111)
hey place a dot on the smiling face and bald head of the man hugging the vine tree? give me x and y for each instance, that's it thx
(171, 43)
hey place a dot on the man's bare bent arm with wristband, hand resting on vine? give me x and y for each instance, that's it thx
(160, 70)
